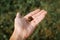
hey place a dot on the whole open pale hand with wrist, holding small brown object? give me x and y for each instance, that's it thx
(24, 26)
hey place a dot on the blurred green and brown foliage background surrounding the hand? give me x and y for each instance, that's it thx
(48, 29)
